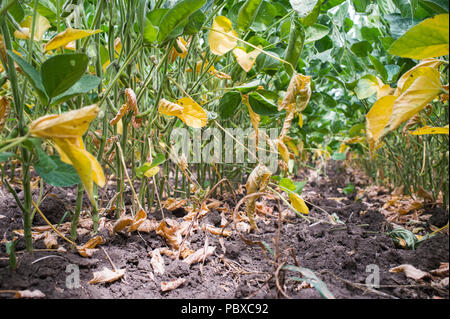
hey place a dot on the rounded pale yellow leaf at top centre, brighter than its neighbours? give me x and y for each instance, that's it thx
(225, 40)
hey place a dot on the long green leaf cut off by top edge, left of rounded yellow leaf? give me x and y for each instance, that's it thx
(177, 16)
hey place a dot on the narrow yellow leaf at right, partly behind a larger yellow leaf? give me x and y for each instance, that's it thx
(377, 119)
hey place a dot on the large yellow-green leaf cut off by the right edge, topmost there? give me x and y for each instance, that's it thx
(428, 39)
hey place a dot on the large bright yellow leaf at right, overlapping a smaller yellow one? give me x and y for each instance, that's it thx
(425, 86)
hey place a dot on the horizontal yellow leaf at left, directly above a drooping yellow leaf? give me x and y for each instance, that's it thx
(71, 124)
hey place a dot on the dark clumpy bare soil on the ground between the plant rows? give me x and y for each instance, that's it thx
(340, 254)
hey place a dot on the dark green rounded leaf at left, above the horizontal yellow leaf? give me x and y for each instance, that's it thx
(62, 71)
